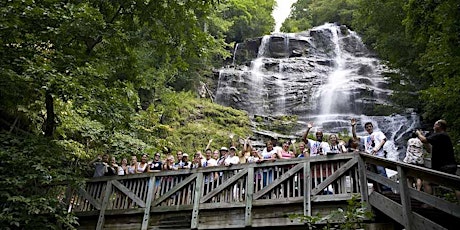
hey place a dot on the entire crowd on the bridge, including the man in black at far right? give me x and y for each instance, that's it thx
(438, 143)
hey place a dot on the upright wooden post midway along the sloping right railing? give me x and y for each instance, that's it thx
(405, 199)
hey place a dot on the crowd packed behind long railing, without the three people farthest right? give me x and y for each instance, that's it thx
(224, 156)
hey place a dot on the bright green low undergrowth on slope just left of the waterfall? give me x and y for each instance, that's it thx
(192, 122)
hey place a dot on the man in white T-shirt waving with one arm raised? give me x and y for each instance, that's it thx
(373, 144)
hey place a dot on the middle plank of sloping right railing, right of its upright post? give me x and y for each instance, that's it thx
(439, 203)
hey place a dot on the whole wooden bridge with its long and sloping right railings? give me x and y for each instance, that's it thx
(260, 195)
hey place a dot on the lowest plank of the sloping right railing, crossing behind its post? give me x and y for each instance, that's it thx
(394, 211)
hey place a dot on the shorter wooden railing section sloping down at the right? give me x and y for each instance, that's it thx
(402, 209)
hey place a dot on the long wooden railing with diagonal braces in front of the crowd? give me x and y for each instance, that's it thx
(302, 181)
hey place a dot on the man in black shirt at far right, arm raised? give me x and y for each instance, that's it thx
(442, 152)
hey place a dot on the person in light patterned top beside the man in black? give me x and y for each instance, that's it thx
(414, 155)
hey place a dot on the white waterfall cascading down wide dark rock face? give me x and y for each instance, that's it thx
(325, 75)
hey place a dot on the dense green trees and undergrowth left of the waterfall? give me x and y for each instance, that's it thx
(83, 78)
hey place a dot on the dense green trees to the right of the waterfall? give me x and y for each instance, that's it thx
(421, 39)
